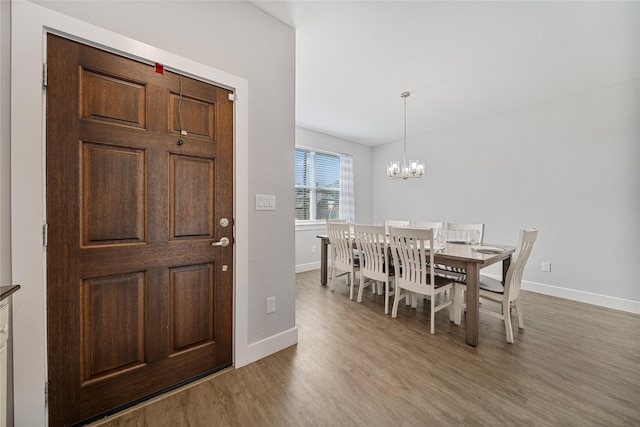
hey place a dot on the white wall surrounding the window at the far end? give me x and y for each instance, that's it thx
(307, 244)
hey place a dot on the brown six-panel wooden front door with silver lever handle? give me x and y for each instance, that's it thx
(138, 299)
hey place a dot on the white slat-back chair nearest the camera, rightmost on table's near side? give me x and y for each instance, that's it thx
(413, 258)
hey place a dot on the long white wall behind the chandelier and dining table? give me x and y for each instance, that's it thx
(570, 168)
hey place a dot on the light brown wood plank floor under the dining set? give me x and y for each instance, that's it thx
(573, 365)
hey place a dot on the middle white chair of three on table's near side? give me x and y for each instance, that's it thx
(375, 268)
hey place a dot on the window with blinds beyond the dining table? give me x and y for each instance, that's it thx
(319, 193)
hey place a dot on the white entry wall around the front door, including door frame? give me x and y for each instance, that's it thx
(246, 45)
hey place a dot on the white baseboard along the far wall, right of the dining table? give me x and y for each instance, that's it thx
(580, 296)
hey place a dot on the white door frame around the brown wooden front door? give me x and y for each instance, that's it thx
(30, 24)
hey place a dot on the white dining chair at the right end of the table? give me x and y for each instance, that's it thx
(505, 295)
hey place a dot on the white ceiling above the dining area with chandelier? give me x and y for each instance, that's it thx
(461, 61)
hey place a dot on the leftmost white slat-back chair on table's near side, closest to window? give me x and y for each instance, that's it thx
(343, 259)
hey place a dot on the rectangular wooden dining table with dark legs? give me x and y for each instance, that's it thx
(471, 258)
